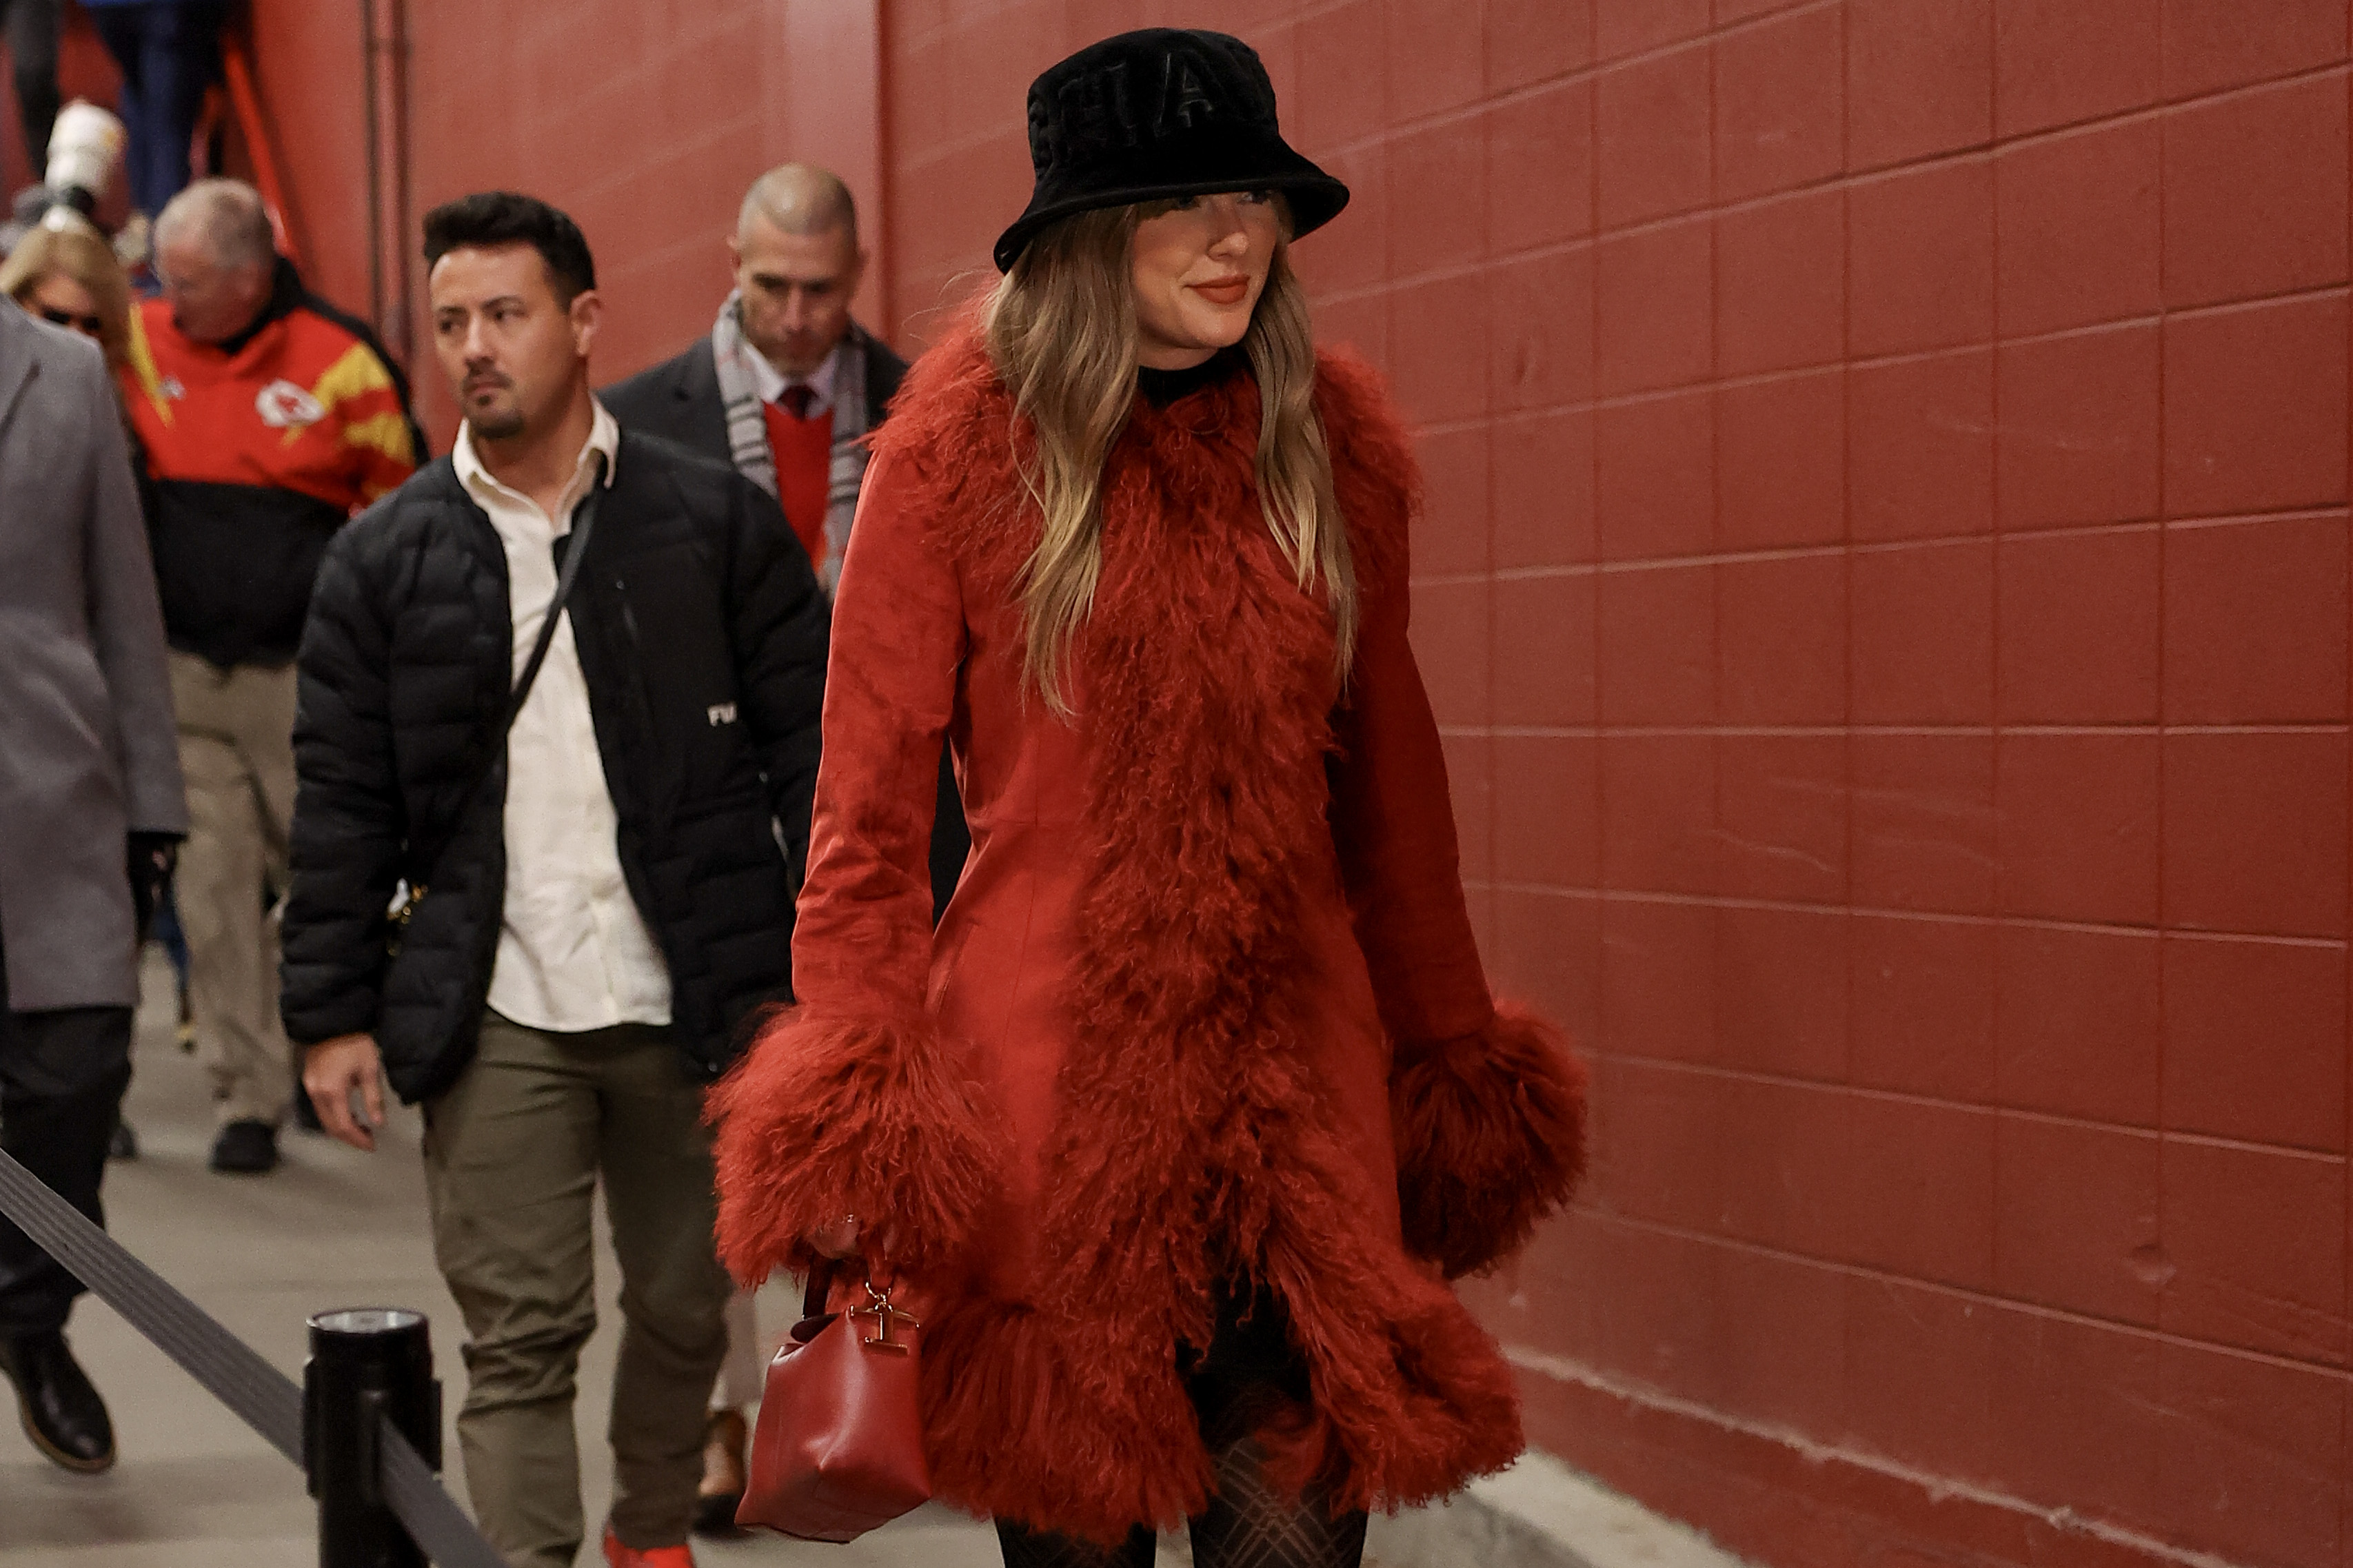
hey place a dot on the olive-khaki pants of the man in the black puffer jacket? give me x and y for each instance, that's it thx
(514, 1153)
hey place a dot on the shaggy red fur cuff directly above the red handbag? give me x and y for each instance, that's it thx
(836, 1118)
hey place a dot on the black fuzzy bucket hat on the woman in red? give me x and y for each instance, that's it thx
(1159, 114)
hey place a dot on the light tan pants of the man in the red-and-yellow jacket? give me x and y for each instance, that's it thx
(236, 749)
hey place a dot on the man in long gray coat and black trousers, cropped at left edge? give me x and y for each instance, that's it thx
(91, 808)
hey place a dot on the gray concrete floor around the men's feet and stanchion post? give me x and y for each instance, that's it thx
(331, 1228)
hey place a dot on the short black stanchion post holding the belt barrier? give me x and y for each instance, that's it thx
(368, 1367)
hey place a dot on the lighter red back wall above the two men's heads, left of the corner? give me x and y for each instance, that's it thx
(644, 123)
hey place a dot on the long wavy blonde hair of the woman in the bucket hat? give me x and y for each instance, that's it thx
(1062, 335)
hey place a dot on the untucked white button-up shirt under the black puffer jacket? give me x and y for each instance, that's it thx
(573, 949)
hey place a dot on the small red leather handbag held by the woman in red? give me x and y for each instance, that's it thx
(839, 1447)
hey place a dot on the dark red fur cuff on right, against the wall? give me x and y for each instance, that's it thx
(1491, 1139)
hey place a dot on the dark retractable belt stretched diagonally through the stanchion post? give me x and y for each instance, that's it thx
(232, 1372)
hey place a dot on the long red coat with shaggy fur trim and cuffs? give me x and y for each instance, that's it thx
(1206, 1003)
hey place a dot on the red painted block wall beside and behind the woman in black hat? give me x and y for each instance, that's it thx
(1886, 596)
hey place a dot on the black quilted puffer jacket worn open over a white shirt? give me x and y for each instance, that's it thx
(702, 638)
